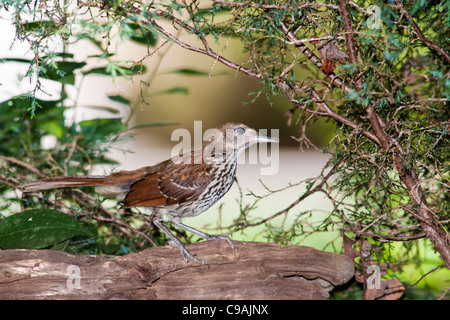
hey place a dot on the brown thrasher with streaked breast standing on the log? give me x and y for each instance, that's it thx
(184, 185)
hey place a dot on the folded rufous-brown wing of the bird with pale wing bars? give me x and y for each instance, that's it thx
(169, 183)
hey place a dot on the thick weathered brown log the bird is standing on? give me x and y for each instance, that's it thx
(257, 271)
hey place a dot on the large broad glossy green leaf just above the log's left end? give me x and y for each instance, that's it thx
(39, 228)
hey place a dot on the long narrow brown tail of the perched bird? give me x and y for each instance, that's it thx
(64, 182)
